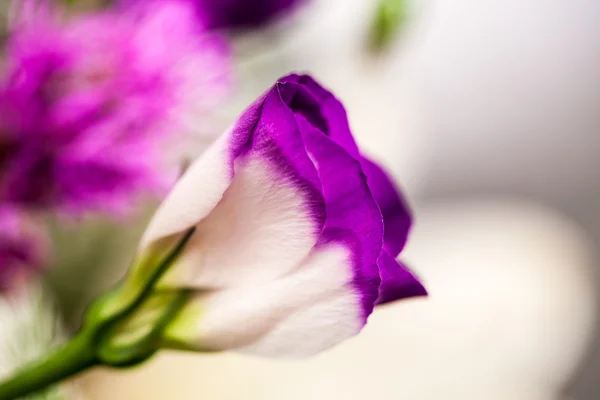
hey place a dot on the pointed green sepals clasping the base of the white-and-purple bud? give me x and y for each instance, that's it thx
(128, 321)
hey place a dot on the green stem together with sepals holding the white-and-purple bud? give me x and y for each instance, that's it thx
(100, 340)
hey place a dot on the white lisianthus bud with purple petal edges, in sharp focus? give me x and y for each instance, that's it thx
(295, 236)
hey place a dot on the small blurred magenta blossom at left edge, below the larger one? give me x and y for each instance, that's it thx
(21, 247)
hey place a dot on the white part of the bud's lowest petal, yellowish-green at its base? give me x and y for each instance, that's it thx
(298, 315)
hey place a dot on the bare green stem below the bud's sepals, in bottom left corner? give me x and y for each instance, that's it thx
(74, 357)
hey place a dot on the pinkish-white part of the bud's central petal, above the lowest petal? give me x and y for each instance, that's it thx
(262, 228)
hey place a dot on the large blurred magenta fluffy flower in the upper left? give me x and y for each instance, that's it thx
(89, 105)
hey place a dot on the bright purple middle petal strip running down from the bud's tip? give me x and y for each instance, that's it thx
(353, 218)
